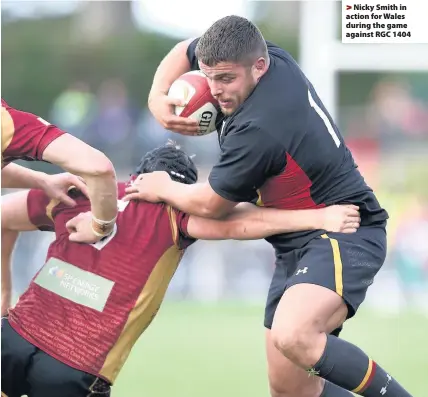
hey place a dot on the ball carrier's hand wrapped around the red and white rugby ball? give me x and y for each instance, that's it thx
(162, 108)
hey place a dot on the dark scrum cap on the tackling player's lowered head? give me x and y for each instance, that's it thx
(172, 159)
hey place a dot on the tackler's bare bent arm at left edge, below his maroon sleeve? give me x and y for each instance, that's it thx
(14, 218)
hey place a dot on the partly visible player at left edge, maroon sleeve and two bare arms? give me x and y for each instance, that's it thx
(28, 137)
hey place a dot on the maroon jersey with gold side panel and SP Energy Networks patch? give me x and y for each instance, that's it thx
(89, 303)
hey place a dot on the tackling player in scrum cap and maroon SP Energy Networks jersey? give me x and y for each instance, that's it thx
(72, 330)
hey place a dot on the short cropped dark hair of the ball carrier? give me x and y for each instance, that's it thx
(231, 39)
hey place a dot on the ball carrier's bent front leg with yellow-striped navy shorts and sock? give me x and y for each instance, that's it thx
(317, 292)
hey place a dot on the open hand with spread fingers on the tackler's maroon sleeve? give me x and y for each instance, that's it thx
(56, 187)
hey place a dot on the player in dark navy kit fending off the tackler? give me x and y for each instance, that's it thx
(279, 146)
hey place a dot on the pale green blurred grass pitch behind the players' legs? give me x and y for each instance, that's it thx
(211, 351)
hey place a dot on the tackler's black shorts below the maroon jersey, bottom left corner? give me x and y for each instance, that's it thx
(27, 370)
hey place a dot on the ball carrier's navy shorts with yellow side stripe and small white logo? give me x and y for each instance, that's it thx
(344, 263)
